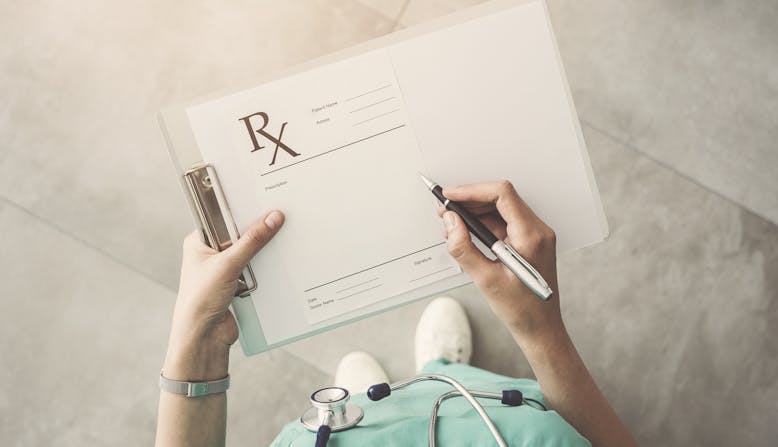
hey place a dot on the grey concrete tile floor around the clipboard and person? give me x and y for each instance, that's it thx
(675, 313)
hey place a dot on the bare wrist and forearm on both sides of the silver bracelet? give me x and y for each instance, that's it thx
(198, 421)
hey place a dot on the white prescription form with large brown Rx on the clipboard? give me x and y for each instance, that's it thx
(334, 150)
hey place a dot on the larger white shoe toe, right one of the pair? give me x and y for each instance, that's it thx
(443, 332)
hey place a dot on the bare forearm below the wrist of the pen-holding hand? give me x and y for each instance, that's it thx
(570, 390)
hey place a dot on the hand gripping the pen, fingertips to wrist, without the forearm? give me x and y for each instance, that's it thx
(501, 209)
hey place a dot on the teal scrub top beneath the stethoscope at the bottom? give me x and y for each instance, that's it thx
(402, 419)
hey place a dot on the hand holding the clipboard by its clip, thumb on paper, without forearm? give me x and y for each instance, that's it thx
(203, 328)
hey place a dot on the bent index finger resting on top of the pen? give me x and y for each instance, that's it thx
(501, 193)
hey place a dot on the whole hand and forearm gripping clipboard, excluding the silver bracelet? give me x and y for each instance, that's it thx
(202, 332)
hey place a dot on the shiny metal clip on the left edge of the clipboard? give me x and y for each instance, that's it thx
(217, 226)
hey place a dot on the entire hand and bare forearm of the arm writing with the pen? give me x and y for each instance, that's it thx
(537, 326)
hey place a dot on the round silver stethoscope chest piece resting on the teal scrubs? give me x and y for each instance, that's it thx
(330, 405)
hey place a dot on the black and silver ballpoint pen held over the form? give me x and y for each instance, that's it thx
(504, 252)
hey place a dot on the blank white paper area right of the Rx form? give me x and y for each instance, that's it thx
(509, 98)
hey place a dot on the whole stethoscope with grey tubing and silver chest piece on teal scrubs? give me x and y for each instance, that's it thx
(330, 411)
